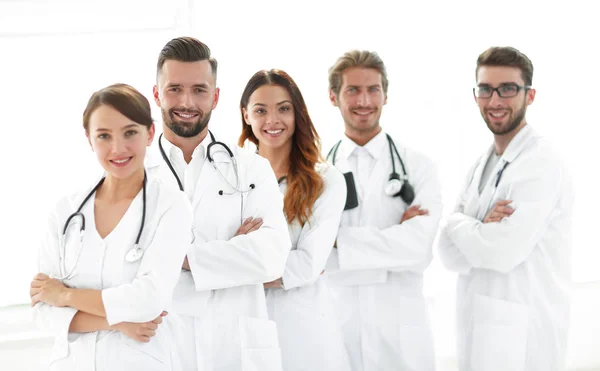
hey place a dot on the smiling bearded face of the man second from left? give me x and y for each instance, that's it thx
(186, 94)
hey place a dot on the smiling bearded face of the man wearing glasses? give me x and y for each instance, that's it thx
(503, 115)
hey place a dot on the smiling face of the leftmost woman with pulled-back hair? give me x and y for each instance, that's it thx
(119, 143)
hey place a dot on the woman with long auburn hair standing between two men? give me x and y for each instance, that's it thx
(276, 120)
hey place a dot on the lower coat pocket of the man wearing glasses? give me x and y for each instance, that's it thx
(499, 338)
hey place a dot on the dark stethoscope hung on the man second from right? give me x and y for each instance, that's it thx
(397, 185)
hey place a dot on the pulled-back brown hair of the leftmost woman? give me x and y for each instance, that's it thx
(125, 99)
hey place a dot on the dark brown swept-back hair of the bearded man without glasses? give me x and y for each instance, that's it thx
(186, 49)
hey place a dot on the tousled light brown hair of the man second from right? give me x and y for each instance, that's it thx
(356, 58)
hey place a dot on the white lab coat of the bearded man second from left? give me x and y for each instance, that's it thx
(220, 306)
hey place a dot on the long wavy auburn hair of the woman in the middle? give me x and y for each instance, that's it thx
(305, 184)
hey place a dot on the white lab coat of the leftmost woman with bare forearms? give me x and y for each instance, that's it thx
(131, 291)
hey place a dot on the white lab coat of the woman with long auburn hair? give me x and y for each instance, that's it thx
(308, 331)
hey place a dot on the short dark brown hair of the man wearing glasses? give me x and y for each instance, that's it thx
(507, 57)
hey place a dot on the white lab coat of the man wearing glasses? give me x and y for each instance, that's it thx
(513, 284)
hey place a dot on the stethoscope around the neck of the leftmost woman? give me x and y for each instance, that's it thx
(132, 255)
